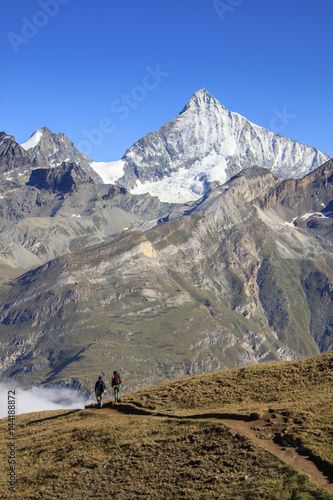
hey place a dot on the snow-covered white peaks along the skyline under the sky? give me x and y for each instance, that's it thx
(203, 147)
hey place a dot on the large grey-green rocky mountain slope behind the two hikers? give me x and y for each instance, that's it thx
(223, 281)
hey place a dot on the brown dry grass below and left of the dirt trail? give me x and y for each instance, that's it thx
(90, 454)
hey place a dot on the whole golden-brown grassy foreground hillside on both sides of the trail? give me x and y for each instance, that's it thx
(117, 455)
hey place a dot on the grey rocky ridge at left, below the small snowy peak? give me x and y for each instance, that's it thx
(48, 211)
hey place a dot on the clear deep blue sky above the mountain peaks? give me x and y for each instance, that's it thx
(106, 73)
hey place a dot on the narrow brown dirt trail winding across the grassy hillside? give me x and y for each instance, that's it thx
(302, 463)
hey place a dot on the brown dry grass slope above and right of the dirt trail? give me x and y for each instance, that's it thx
(301, 392)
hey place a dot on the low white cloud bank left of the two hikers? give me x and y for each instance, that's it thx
(38, 399)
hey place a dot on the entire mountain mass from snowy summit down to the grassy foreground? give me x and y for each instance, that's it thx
(207, 246)
